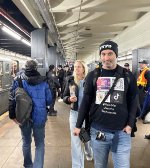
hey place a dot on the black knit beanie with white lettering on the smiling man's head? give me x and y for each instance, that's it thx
(109, 45)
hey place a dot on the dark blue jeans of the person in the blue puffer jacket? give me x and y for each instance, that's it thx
(39, 136)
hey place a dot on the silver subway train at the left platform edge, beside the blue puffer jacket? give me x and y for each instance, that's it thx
(10, 64)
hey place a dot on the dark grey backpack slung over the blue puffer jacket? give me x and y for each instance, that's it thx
(23, 103)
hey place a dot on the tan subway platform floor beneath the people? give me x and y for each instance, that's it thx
(57, 152)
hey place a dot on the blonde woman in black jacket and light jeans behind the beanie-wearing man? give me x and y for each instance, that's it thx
(73, 95)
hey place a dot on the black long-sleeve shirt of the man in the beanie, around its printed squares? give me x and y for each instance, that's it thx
(114, 118)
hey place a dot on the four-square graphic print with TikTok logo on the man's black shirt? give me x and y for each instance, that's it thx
(103, 86)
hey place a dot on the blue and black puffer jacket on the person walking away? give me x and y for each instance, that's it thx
(38, 89)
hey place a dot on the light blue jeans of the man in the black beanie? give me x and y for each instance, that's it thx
(118, 143)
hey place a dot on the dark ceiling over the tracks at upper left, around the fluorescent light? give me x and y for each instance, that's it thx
(11, 16)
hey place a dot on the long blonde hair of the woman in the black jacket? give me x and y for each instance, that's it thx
(76, 79)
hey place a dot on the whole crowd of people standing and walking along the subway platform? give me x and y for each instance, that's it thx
(104, 101)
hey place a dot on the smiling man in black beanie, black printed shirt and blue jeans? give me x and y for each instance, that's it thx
(112, 120)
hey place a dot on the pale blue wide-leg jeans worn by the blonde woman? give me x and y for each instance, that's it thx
(77, 148)
